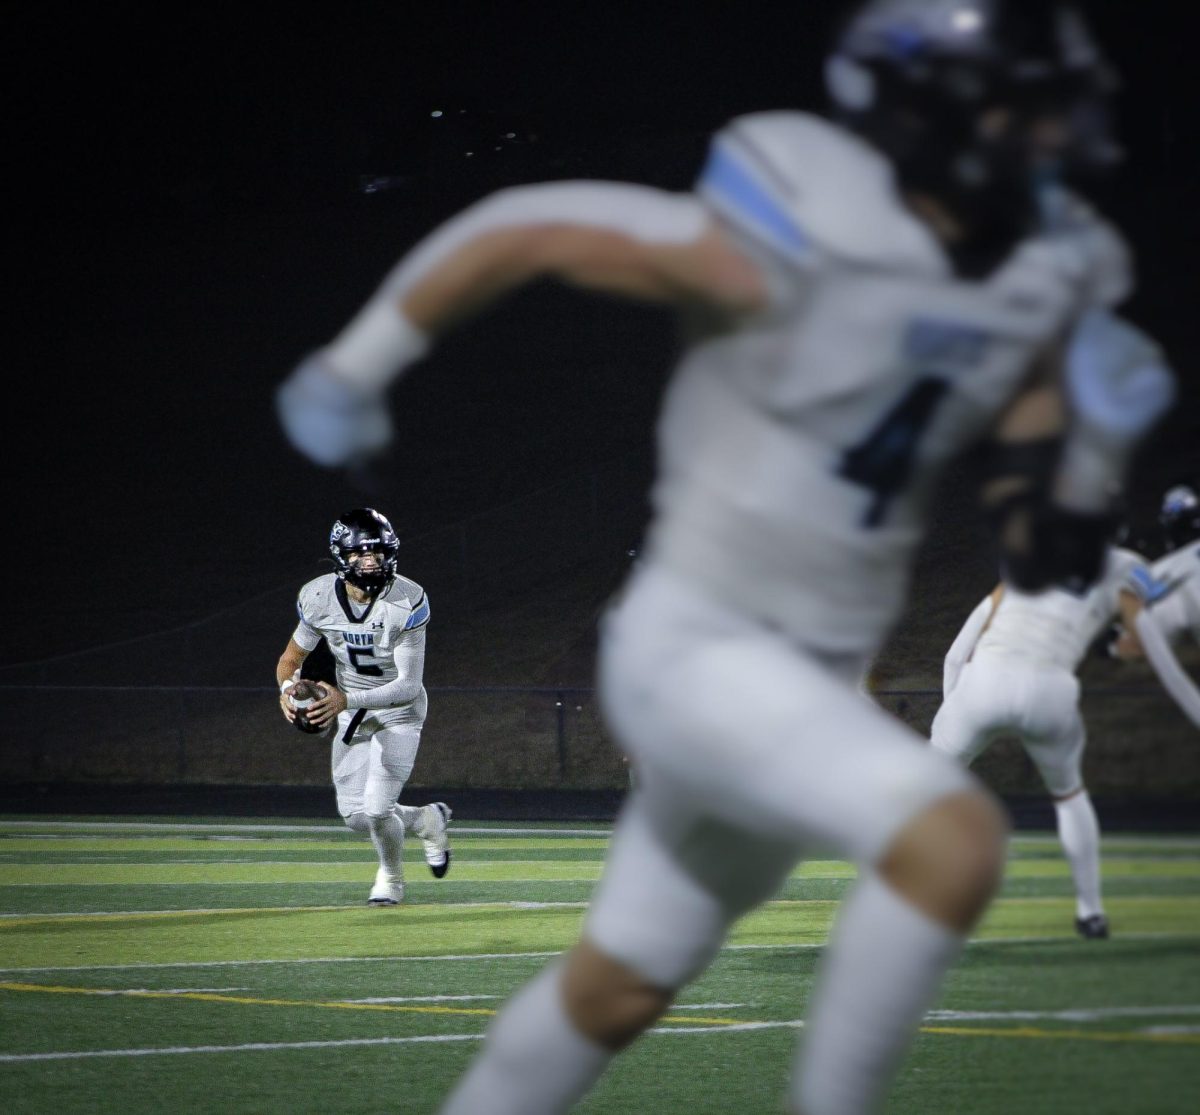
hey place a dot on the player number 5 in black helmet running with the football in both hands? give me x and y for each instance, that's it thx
(374, 621)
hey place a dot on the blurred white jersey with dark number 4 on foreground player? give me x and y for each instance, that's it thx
(799, 449)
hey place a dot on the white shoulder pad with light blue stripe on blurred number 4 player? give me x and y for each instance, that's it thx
(809, 189)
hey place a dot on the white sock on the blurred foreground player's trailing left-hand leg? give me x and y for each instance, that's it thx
(533, 1062)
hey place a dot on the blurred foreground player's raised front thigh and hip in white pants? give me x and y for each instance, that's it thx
(757, 734)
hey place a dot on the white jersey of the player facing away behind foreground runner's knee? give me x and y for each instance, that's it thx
(1057, 627)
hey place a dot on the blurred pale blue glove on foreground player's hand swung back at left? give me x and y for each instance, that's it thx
(328, 419)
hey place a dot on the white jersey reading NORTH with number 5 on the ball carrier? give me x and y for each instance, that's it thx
(364, 640)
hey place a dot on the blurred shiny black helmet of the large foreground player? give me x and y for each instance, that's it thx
(957, 94)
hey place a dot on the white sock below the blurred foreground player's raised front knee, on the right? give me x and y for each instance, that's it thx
(880, 973)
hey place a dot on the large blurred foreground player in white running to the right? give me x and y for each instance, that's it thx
(872, 296)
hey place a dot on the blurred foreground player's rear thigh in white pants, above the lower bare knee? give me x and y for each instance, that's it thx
(675, 883)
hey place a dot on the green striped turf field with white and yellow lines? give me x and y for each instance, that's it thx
(235, 968)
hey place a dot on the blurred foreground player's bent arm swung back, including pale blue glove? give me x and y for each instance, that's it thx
(629, 241)
